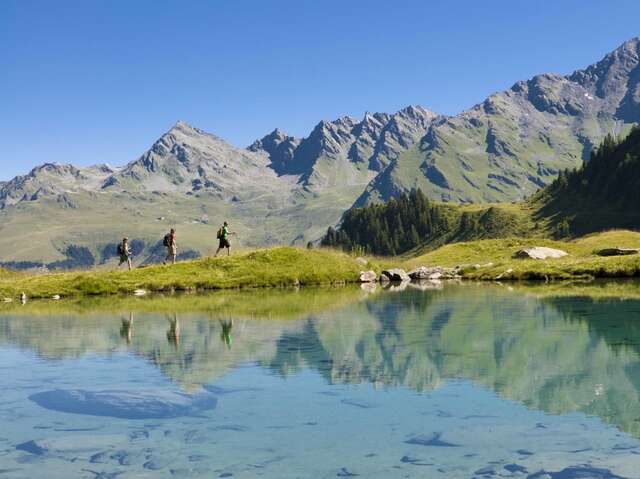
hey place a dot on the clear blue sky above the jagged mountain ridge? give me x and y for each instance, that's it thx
(89, 81)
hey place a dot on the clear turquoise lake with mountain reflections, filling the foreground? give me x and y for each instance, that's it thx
(464, 381)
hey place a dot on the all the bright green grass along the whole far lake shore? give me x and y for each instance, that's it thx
(288, 266)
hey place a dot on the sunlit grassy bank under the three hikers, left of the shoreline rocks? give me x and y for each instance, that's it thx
(261, 268)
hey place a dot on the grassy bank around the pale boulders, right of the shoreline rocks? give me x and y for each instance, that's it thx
(495, 258)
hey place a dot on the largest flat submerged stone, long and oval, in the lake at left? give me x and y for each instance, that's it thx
(150, 404)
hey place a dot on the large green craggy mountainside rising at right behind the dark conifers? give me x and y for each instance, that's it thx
(518, 140)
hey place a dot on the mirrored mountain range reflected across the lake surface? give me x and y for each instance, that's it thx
(556, 354)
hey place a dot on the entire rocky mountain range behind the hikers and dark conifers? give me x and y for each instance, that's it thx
(283, 189)
